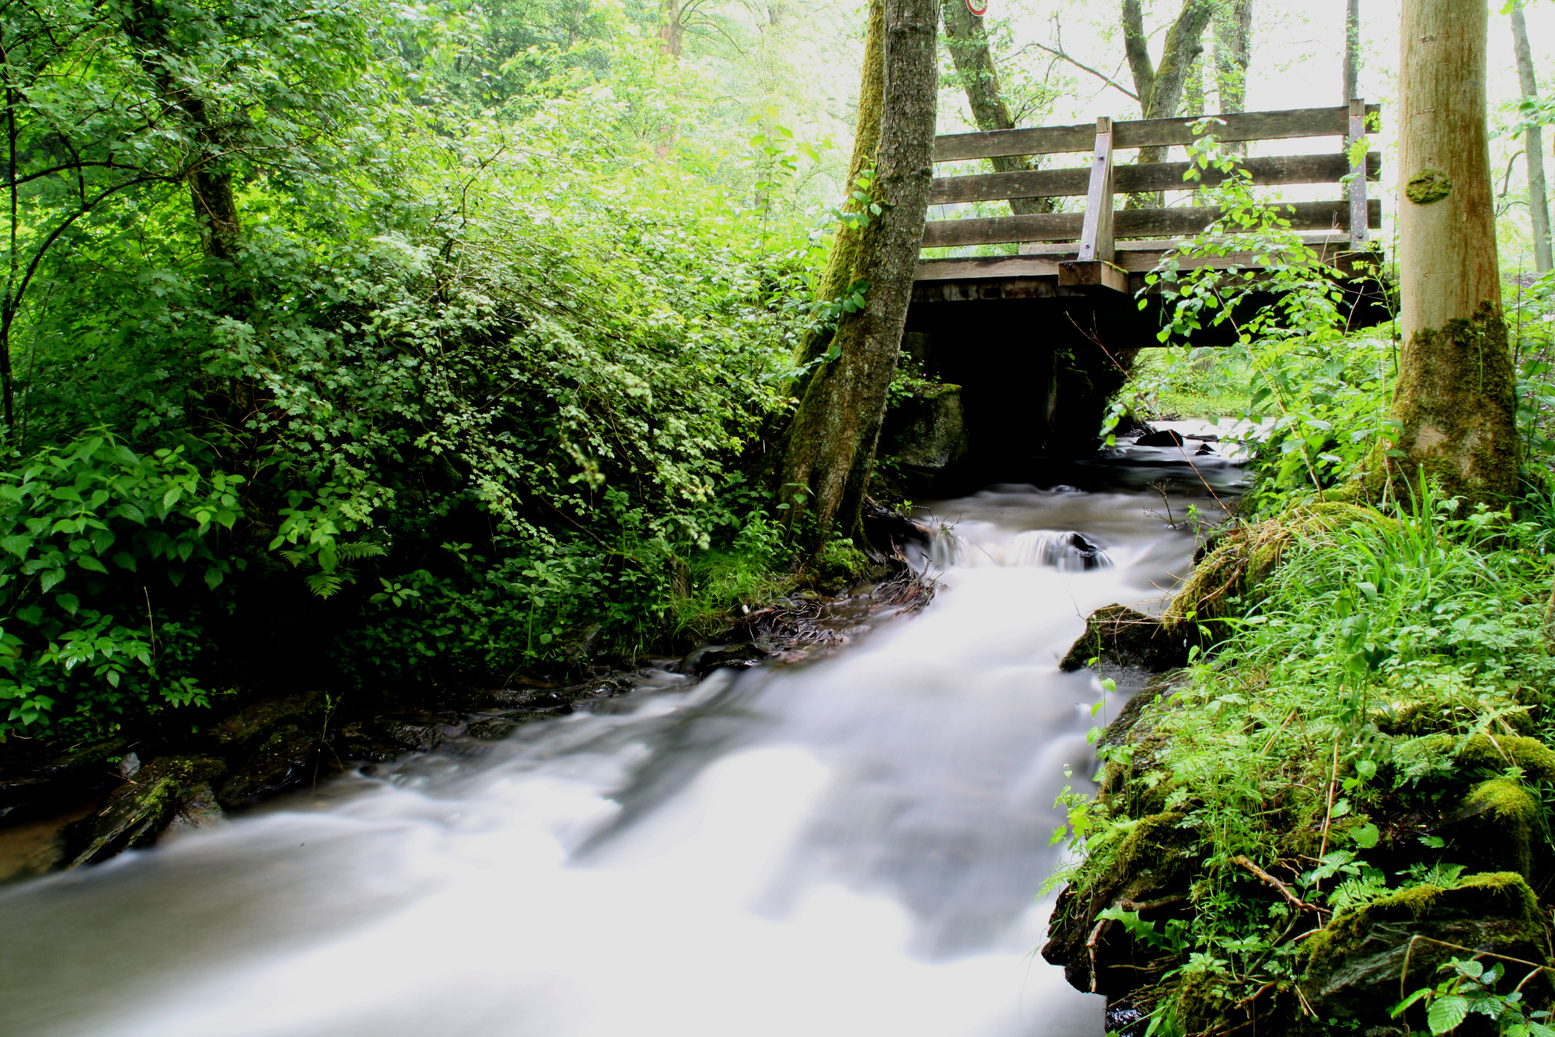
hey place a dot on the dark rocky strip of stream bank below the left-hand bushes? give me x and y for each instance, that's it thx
(68, 806)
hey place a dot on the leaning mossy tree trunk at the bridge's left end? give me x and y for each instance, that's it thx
(830, 449)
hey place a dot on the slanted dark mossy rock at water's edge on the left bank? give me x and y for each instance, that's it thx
(142, 808)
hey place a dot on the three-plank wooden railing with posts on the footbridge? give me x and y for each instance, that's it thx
(1092, 236)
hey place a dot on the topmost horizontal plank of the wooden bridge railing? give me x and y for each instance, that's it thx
(1050, 141)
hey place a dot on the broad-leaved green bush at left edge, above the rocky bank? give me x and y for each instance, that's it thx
(107, 554)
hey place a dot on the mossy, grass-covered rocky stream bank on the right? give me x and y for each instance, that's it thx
(1310, 825)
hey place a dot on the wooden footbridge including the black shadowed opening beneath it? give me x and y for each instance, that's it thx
(1040, 340)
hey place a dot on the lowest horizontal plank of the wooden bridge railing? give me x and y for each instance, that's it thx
(1130, 223)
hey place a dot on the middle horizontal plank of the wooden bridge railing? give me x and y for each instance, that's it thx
(1156, 176)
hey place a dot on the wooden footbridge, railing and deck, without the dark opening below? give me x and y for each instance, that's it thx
(1099, 257)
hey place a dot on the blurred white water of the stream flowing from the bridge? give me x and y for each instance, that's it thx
(847, 848)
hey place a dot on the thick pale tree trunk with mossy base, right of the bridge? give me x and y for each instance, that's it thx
(1455, 399)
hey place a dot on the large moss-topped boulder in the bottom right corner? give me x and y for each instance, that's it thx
(1361, 960)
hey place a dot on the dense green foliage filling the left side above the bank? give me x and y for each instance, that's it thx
(377, 343)
